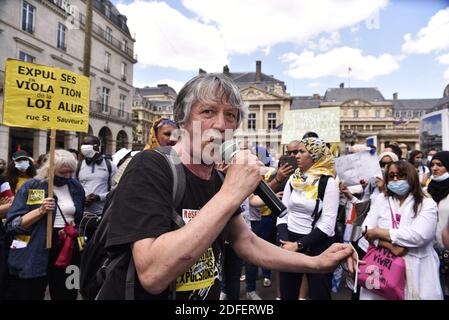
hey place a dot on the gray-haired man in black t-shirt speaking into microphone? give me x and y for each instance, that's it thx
(205, 109)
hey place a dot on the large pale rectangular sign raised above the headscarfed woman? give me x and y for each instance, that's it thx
(324, 121)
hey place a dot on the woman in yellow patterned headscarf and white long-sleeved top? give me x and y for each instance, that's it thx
(297, 231)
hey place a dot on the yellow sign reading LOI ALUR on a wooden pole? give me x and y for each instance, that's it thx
(44, 97)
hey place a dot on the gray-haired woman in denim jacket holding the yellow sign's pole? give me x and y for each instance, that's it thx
(31, 266)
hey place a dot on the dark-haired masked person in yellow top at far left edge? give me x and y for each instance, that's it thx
(19, 170)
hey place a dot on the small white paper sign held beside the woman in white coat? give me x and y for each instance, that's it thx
(354, 167)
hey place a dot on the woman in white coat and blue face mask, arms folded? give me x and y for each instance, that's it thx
(404, 221)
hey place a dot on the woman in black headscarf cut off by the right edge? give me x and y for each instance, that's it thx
(439, 190)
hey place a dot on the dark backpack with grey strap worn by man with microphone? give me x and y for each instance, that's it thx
(96, 262)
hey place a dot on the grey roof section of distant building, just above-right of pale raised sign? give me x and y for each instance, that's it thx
(345, 94)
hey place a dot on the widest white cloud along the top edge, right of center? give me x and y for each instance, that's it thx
(251, 25)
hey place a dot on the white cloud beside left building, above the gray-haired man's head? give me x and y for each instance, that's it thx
(166, 38)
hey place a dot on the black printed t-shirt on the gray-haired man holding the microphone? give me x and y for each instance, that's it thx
(142, 209)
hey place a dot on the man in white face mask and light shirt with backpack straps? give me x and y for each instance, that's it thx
(96, 175)
